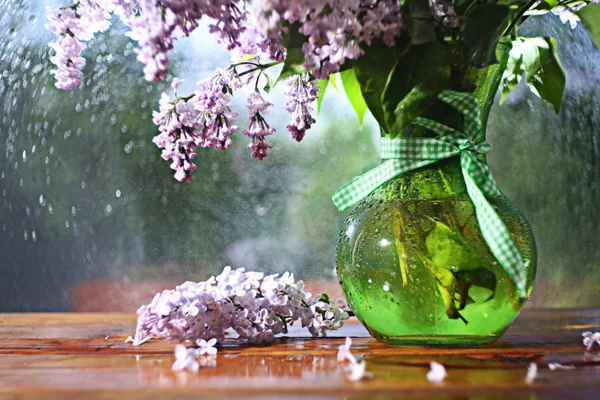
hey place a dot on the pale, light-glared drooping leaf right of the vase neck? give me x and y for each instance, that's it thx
(538, 59)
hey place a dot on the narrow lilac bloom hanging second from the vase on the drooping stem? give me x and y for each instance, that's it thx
(258, 128)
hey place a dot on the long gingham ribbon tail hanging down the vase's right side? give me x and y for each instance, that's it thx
(495, 233)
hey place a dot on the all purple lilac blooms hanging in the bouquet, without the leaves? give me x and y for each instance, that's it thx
(333, 32)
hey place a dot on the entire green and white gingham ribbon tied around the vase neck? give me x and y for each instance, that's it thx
(406, 154)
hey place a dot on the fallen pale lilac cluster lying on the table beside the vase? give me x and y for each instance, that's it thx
(255, 306)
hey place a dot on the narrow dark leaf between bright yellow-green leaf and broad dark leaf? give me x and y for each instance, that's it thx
(372, 71)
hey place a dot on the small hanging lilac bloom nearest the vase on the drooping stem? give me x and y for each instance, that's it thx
(300, 98)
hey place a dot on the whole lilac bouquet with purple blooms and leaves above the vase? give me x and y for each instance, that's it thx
(366, 41)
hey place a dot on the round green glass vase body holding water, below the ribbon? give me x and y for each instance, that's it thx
(415, 268)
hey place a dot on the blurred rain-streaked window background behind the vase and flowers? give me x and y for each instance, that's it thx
(91, 218)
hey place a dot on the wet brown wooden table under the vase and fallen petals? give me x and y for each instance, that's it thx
(83, 356)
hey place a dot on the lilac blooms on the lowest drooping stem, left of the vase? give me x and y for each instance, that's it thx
(206, 119)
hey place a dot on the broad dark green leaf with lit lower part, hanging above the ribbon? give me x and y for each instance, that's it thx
(414, 84)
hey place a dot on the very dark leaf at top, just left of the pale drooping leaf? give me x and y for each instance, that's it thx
(482, 31)
